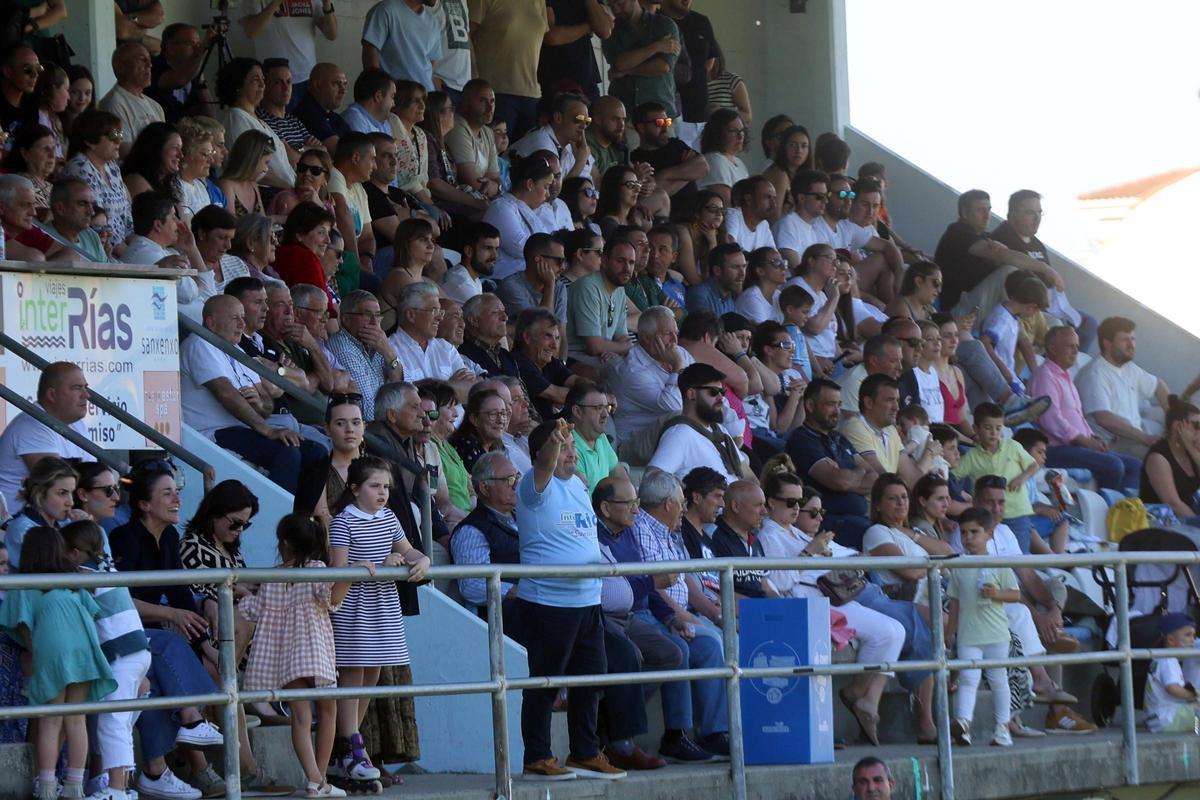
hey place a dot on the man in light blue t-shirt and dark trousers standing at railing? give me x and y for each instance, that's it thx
(561, 622)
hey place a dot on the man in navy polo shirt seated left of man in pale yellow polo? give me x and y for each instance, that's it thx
(830, 464)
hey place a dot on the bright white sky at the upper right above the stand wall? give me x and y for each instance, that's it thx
(1061, 97)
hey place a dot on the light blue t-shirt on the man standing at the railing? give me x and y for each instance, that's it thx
(557, 526)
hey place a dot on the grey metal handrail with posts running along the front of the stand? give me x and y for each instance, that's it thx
(499, 685)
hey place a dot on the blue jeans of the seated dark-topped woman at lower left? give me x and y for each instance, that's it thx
(175, 672)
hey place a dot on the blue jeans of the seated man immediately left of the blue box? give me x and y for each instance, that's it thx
(709, 696)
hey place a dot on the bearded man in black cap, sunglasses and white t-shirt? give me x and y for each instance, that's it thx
(700, 441)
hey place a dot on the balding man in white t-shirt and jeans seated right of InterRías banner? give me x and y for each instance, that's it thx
(227, 402)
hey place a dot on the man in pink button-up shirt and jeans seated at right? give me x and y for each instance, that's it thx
(1073, 444)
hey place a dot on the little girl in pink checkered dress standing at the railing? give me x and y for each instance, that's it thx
(295, 643)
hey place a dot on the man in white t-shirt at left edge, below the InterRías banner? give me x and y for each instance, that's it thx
(63, 394)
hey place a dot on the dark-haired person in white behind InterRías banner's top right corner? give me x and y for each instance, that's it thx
(161, 238)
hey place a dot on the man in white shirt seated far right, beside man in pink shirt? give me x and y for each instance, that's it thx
(1124, 401)
